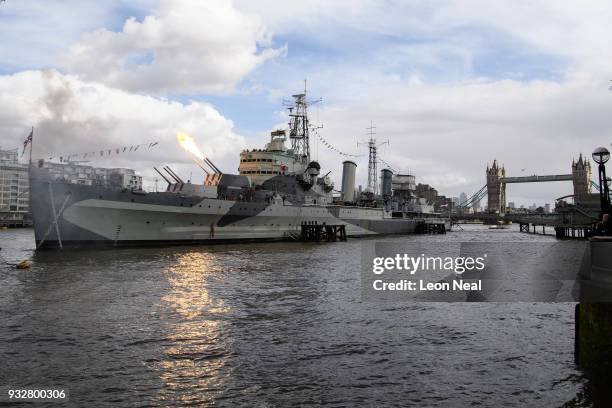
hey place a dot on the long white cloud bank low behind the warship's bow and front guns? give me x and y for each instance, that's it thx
(74, 116)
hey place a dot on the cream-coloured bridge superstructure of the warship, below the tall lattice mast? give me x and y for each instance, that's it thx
(262, 164)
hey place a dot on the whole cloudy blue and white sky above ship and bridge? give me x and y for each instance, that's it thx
(450, 85)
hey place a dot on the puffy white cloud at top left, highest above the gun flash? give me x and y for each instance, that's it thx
(186, 46)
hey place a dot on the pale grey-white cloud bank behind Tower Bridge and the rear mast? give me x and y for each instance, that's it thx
(446, 134)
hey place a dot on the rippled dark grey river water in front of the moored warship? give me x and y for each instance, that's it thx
(272, 324)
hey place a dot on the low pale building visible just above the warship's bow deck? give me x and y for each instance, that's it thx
(75, 173)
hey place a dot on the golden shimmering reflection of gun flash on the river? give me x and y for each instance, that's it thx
(191, 371)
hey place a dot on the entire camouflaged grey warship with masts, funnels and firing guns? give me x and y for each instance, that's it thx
(276, 191)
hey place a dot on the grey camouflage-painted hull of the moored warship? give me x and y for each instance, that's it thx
(72, 215)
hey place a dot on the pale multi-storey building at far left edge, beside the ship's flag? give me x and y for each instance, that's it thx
(14, 190)
